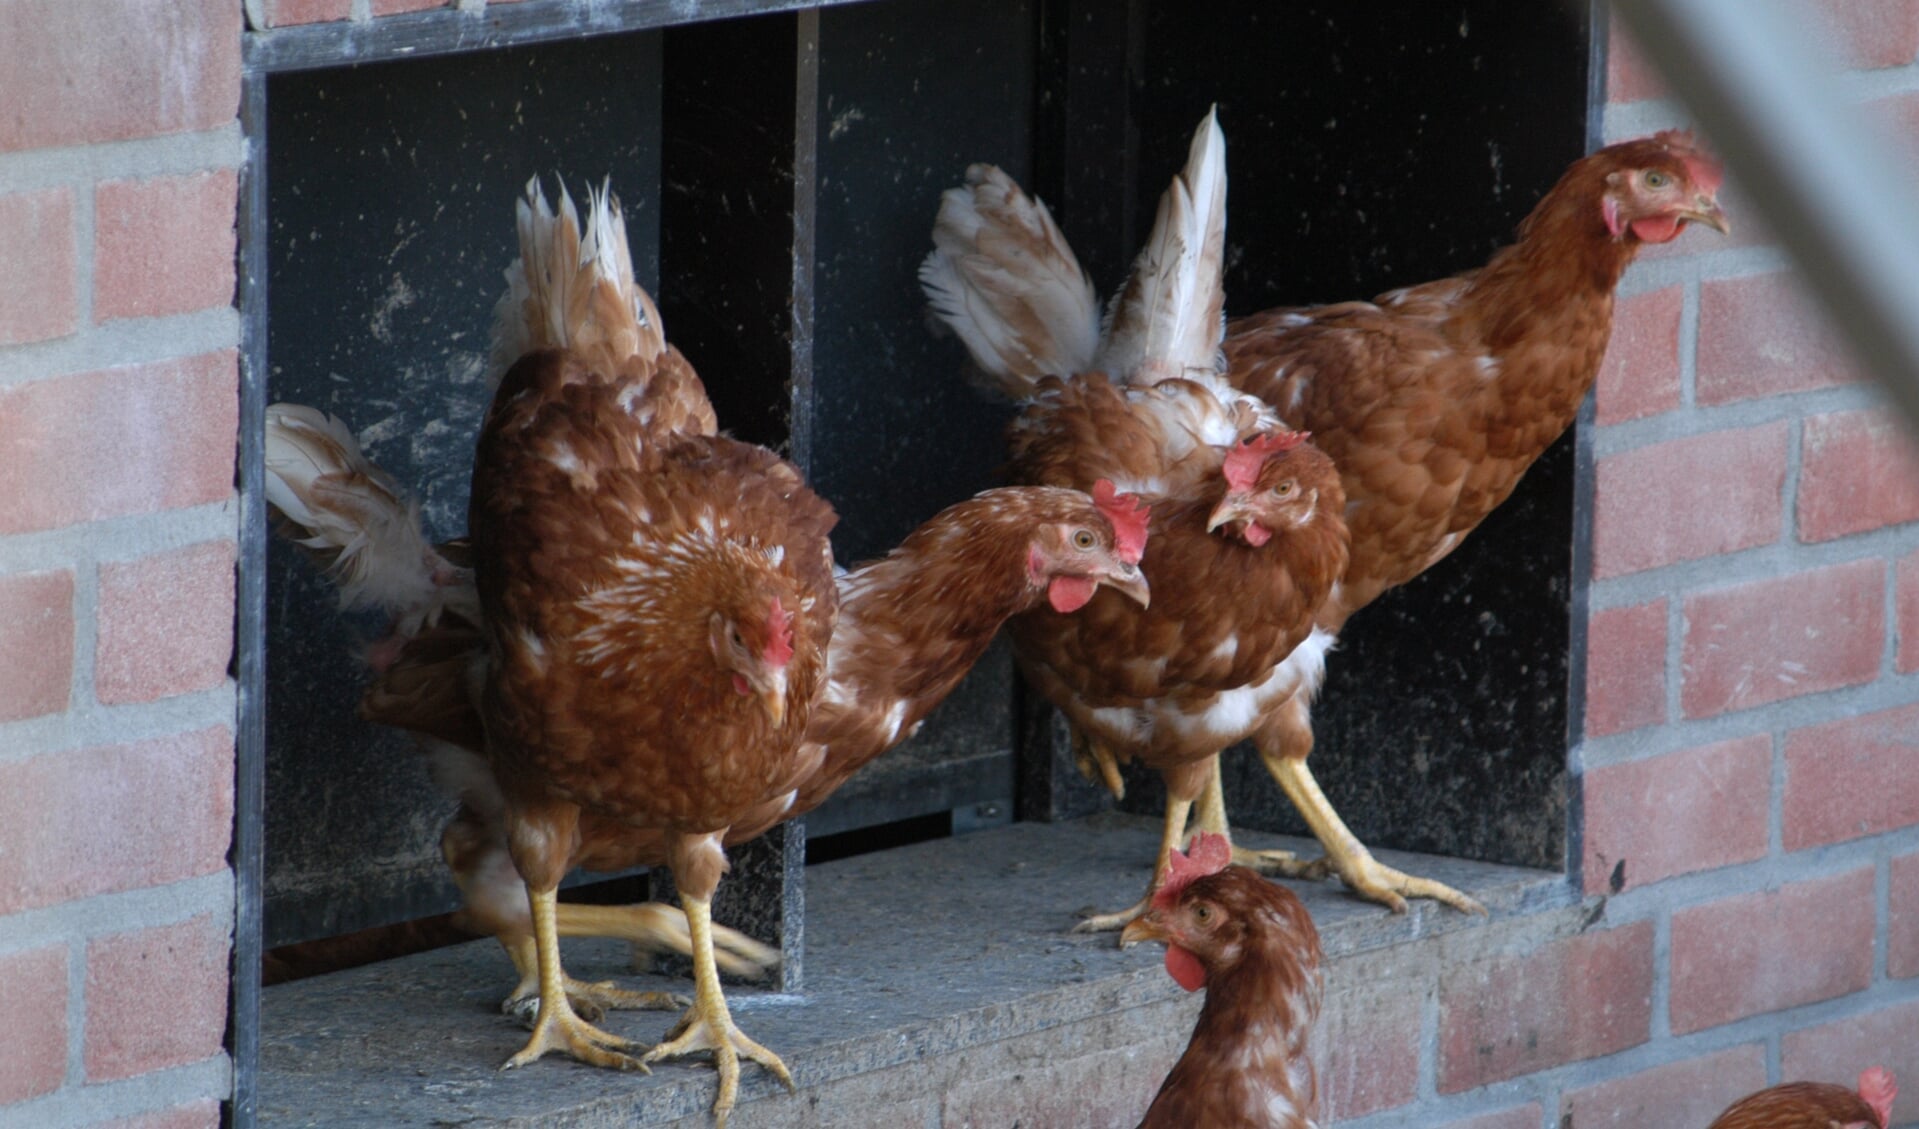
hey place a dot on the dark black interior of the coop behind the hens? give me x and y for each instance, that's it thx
(780, 178)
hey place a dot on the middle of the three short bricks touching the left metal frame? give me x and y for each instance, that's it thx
(166, 625)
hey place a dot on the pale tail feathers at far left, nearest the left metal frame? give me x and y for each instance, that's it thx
(356, 521)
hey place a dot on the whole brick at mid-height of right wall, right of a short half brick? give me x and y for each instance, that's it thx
(1770, 640)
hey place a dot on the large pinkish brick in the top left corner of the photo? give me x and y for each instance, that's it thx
(112, 70)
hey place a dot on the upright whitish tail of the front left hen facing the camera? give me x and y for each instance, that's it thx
(573, 287)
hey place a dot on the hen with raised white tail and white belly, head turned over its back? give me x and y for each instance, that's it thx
(1248, 517)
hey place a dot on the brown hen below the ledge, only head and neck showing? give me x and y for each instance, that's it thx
(1252, 946)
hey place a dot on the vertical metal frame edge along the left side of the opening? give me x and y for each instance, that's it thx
(250, 615)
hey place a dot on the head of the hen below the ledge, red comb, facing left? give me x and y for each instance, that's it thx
(1214, 919)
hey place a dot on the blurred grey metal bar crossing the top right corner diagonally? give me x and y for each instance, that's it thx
(1841, 204)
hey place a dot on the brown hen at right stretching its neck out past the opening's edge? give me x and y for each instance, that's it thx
(1434, 400)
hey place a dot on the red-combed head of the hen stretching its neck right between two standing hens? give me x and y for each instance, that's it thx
(1074, 554)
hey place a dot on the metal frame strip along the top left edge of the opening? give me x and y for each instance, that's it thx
(450, 32)
